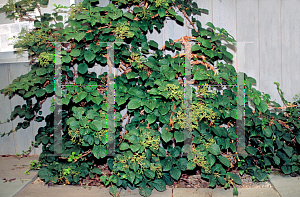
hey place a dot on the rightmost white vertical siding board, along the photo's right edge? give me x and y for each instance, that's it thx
(290, 20)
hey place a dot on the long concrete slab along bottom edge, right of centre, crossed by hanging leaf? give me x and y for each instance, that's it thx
(220, 192)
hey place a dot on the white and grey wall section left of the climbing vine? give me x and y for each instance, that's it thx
(12, 67)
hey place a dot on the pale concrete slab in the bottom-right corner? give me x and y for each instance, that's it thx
(286, 186)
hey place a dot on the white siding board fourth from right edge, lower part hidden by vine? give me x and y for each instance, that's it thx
(224, 16)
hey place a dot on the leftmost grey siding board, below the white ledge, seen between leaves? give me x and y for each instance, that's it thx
(7, 143)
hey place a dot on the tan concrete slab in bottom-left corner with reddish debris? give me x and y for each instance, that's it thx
(12, 174)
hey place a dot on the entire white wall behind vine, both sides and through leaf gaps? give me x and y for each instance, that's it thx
(274, 55)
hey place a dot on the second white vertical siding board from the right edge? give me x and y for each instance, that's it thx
(270, 47)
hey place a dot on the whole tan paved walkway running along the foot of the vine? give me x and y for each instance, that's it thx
(19, 184)
